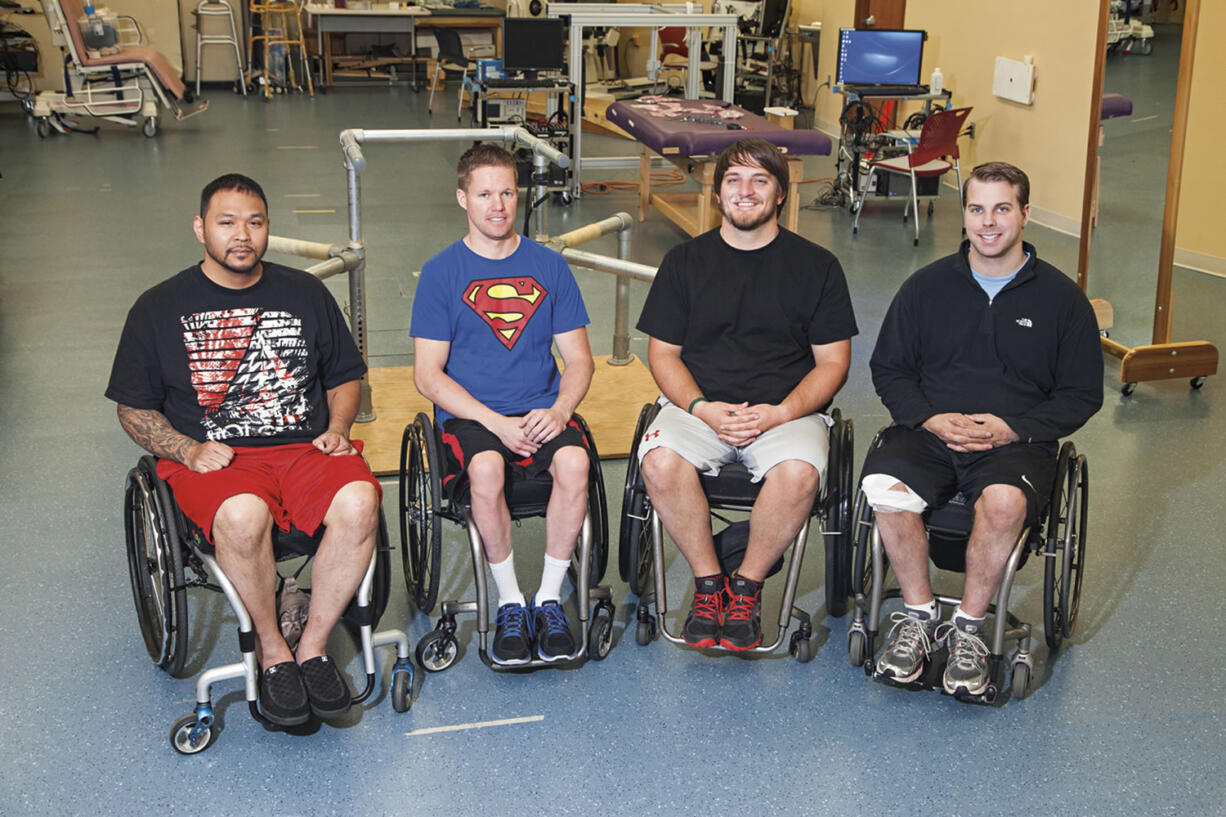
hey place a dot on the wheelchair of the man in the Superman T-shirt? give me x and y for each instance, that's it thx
(431, 491)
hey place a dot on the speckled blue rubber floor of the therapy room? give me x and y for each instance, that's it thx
(1127, 718)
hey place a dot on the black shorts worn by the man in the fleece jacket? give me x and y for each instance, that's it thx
(920, 461)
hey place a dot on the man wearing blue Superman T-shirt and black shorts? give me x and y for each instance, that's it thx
(487, 312)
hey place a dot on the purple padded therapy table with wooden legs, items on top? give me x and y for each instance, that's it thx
(692, 134)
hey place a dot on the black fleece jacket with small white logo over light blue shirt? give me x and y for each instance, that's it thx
(1032, 356)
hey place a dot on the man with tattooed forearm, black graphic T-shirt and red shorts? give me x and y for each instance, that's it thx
(243, 378)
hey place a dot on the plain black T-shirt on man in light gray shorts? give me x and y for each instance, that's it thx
(747, 320)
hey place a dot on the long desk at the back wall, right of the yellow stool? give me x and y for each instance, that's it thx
(405, 20)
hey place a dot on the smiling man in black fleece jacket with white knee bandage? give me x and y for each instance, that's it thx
(986, 359)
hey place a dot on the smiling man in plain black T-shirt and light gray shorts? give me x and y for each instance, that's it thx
(751, 332)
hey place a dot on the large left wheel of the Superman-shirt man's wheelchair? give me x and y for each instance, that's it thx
(421, 490)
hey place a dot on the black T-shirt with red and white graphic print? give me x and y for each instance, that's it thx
(245, 367)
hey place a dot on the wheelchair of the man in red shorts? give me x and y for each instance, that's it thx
(167, 555)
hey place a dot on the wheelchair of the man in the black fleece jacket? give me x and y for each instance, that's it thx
(1059, 539)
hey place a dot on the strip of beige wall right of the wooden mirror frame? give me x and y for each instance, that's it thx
(1201, 229)
